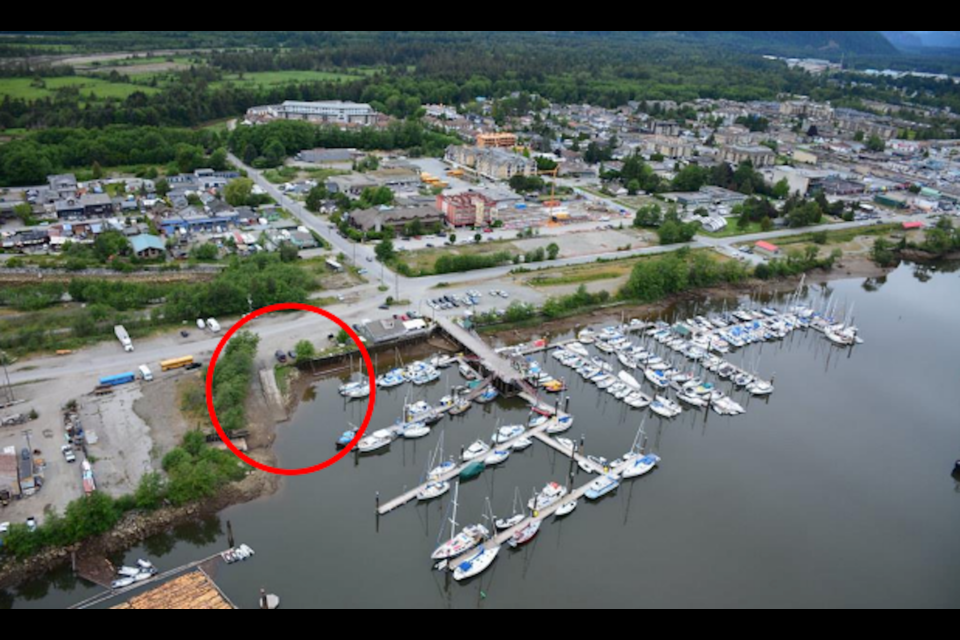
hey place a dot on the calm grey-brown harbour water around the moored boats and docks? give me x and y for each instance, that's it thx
(835, 492)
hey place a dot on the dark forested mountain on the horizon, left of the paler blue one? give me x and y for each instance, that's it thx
(831, 44)
